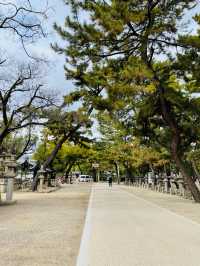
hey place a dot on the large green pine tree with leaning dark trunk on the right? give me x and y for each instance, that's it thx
(146, 40)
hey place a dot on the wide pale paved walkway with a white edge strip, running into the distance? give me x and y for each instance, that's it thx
(123, 229)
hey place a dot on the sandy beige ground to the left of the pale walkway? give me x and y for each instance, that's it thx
(43, 229)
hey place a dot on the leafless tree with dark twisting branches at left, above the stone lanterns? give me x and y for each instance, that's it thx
(22, 100)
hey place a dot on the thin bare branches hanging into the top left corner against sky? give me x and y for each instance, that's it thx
(23, 20)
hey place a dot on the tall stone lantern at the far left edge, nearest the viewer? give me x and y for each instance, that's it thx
(8, 169)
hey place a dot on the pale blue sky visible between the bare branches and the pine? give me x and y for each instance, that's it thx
(55, 78)
